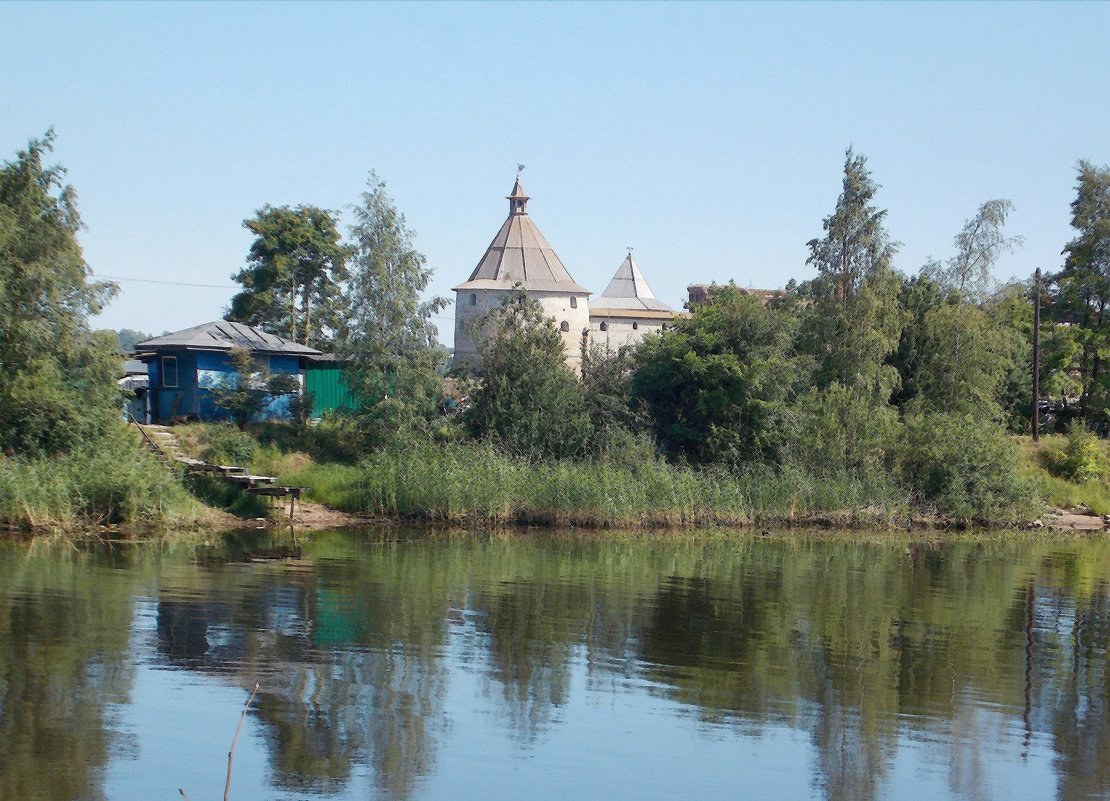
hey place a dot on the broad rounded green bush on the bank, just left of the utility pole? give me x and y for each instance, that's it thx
(964, 467)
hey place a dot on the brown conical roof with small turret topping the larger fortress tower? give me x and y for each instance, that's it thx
(520, 255)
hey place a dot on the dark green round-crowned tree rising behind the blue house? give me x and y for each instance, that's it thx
(294, 280)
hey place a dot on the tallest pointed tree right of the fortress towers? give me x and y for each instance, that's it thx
(854, 319)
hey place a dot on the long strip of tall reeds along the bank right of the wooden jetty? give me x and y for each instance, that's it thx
(458, 483)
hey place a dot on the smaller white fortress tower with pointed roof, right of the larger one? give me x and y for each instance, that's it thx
(628, 310)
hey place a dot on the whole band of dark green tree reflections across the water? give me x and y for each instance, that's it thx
(854, 644)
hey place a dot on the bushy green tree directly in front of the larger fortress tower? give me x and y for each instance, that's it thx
(529, 401)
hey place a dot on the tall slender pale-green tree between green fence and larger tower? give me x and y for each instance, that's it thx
(389, 336)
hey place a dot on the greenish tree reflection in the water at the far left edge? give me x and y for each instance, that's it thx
(65, 630)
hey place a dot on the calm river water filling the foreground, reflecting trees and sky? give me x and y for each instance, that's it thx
(420, 666)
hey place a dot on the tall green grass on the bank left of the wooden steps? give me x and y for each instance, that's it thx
(107, 482)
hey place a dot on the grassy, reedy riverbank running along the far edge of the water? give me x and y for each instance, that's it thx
(476, 485)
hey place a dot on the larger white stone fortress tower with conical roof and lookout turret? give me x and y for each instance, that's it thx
(520, 255)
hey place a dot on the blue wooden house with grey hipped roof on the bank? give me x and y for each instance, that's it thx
(186, 366)
